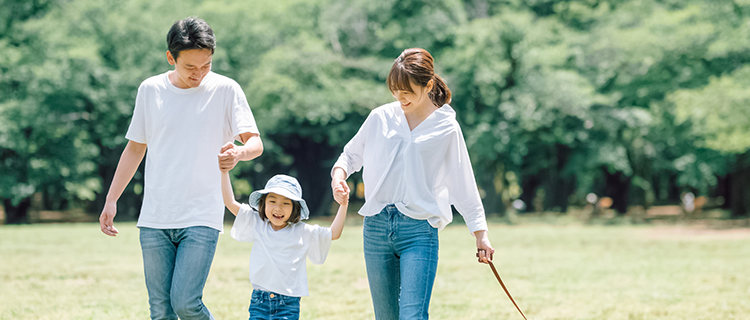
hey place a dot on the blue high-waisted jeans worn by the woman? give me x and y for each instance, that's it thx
(401, 257)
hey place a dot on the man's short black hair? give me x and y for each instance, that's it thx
(190, 33)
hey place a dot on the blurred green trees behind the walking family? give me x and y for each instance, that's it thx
(606, 107)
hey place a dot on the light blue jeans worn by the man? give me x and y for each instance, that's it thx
(176, 264)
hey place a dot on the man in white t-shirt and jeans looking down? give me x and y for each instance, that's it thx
(184, 117)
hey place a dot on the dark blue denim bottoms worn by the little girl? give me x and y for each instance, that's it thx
(266, 305)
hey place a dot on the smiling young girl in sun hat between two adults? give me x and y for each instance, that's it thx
(277, 262)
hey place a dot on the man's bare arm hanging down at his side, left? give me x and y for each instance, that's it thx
(129, 161)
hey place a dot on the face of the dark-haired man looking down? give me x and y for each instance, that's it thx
(190, 67)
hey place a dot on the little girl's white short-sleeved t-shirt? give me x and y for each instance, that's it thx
(277, 260)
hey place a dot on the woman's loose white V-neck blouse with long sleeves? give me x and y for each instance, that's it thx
(422, 172)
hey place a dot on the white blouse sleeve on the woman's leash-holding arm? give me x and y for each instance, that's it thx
(462, 187)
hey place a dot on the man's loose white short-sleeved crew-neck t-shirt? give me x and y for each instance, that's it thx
(184, 130)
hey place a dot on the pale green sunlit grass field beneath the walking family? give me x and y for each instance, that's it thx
(73, 271)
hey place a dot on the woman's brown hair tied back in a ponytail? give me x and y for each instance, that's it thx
(417, 65)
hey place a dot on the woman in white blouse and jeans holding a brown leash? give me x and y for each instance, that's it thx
(415, 166)
